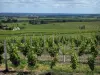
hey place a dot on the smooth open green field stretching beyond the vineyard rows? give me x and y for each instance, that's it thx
(51, 28)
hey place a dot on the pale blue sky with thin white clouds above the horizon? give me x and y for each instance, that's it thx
(50, 6)
